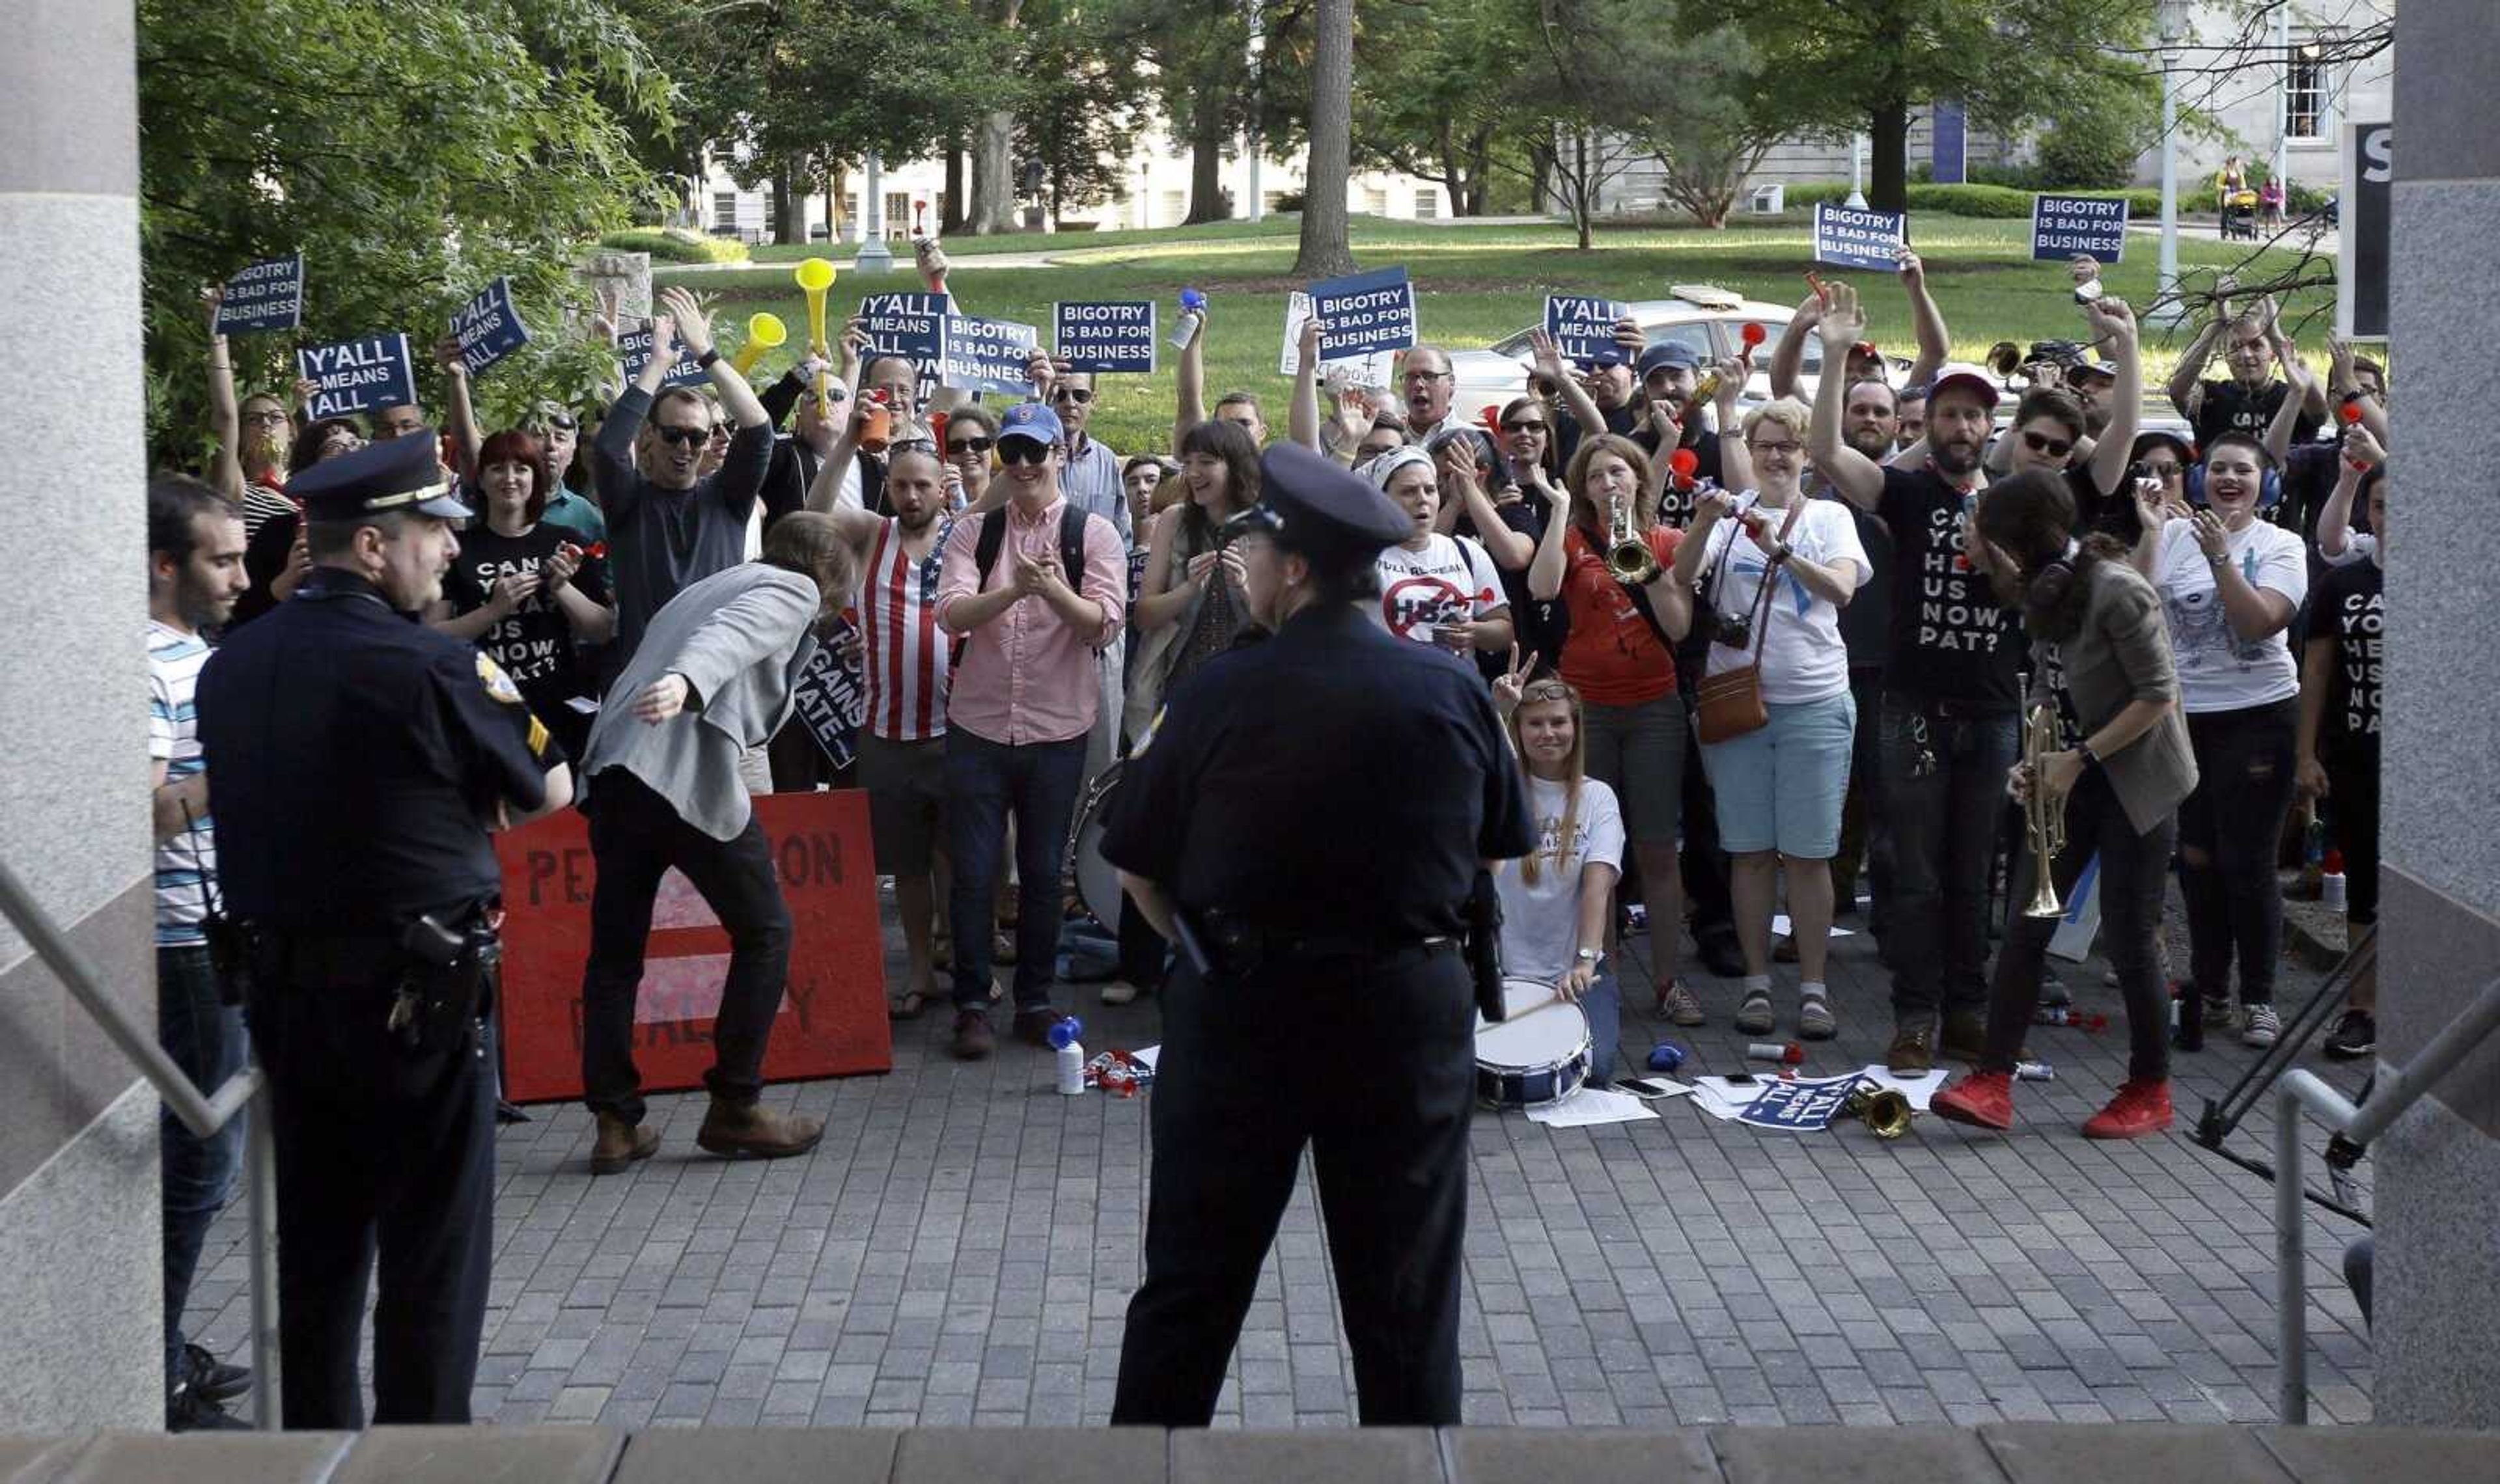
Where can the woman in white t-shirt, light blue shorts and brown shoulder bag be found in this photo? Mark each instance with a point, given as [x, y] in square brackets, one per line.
[1781, 786]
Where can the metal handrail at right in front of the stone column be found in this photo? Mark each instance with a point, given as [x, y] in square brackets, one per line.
[2391, 1098]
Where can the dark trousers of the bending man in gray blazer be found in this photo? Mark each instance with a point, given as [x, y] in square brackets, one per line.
[634, 838]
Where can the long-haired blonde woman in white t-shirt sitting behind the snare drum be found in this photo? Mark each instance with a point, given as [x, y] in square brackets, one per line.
[1559, 898]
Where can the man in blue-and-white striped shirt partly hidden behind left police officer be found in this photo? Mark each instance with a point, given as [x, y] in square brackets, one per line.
[194, 581]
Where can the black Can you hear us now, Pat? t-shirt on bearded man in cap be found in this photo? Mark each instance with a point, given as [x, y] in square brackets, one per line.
[1951, 638]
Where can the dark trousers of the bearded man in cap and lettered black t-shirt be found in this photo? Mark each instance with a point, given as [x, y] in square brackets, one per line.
[1944, 781]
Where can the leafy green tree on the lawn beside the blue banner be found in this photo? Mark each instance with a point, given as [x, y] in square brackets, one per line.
[1841, 66]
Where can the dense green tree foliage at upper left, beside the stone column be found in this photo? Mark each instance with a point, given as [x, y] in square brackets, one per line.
[411, 154]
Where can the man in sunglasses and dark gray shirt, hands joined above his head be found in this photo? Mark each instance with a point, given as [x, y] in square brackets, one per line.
[669, 523]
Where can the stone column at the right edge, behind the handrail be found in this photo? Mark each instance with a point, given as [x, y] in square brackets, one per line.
[2439, 1170]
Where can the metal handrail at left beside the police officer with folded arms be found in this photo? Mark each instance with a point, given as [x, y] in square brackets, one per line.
[201, 1113]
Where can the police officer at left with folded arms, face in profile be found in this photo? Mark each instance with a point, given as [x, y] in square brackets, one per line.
[361, 761]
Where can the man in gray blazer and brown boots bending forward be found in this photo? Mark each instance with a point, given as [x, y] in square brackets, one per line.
[711, 681]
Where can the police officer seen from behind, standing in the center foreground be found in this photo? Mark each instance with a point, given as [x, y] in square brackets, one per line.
[1309, 821]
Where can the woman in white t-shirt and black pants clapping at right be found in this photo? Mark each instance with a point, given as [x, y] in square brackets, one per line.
[2231, 586]
